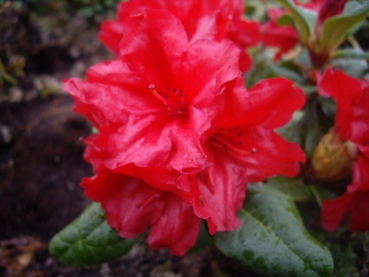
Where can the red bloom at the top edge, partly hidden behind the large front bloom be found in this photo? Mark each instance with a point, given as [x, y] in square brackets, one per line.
[201, 19]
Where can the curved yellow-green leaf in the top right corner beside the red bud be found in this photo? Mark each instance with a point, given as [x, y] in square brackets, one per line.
[336, 28]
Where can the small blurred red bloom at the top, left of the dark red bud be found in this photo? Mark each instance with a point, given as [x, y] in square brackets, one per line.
[282, 37]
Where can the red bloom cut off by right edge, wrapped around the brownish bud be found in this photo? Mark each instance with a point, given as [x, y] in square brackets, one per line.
[352, 123]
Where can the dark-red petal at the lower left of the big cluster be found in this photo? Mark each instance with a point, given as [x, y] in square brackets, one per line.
[119, 196]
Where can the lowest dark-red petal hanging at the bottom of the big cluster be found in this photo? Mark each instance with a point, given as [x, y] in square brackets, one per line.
[177, 228]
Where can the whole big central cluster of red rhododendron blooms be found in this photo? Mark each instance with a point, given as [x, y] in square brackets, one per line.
[179, 135]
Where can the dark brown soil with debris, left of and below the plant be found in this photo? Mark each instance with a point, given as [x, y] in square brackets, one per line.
[41, 161]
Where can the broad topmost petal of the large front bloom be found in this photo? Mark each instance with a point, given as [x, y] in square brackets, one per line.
[153, 47]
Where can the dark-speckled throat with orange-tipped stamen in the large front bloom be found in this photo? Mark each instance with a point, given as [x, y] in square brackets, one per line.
[172, 99]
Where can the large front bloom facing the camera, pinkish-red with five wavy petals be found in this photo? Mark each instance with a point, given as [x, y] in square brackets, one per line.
[153, 105]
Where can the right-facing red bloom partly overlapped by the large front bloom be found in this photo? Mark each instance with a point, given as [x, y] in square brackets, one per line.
[241, 147]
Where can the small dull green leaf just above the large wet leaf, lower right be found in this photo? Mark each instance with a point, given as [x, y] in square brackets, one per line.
[294, 188]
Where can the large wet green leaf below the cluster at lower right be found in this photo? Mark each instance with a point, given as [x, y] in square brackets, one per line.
[272, 240]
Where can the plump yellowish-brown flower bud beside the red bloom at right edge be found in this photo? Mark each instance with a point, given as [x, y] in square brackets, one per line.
[333, 158]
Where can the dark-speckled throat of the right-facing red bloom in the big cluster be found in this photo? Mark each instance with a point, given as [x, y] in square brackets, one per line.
[230, 140]
